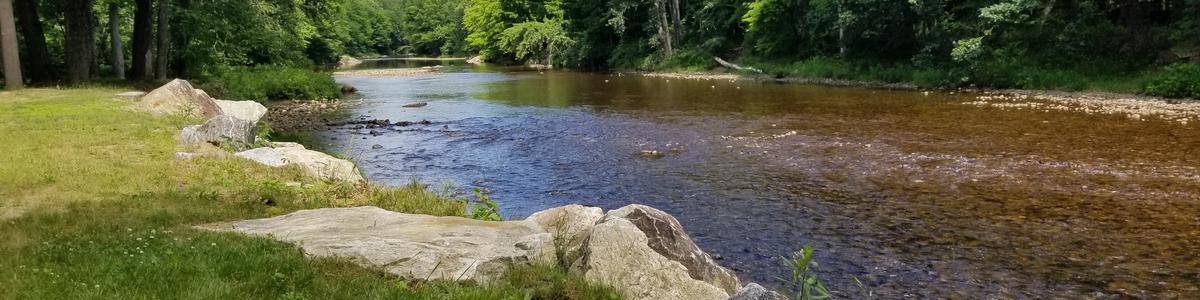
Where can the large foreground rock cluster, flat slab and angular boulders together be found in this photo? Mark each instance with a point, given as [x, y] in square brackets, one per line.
[641, 251]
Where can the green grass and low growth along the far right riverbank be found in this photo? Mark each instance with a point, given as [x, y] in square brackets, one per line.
[1175, 81]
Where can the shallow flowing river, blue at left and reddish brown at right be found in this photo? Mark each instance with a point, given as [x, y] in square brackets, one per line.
[902, 194]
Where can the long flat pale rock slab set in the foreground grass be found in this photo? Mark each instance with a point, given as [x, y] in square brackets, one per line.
[413, 247]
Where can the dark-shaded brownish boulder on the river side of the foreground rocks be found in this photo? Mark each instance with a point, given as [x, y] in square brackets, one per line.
[667, 237]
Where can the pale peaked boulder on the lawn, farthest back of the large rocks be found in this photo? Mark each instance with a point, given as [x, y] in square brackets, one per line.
[178, 98]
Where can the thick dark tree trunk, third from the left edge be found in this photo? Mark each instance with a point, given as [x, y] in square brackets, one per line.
[81, 40]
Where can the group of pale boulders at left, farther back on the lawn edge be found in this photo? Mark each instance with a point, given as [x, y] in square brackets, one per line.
[235, 124]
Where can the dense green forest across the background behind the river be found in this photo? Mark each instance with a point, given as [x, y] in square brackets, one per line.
[1149, 46]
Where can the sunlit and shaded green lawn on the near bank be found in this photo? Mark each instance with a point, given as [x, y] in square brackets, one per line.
[94, 206]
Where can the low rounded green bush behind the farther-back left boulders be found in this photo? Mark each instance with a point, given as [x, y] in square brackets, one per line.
[265, 83]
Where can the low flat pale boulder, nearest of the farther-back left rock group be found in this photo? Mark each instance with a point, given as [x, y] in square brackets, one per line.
[314, 164]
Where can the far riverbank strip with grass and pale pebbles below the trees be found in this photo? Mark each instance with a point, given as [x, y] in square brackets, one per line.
[1178, 81]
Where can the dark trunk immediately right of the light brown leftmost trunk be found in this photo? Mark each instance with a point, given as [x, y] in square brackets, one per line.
[38, 56]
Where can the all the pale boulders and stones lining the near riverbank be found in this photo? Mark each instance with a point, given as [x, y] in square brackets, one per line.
[641, 251]
